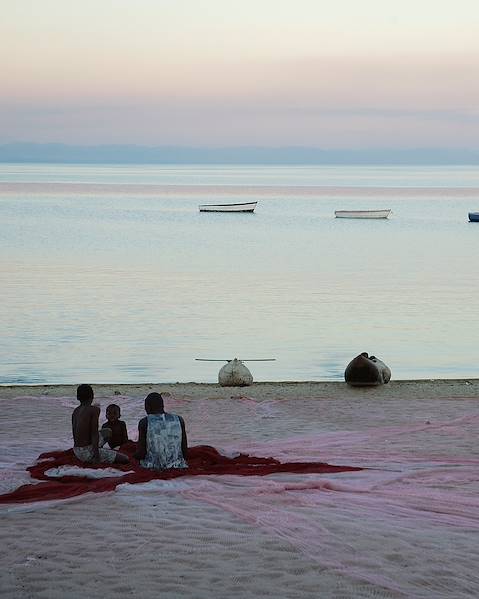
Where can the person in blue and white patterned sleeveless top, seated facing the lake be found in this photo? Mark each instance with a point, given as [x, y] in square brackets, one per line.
[162, 442]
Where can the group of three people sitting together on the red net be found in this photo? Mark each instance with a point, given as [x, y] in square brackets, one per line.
[162, 442]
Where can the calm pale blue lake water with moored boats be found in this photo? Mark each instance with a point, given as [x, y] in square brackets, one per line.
[110, 274]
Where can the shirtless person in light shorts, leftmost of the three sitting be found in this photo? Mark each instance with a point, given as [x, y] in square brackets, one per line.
[86, 437]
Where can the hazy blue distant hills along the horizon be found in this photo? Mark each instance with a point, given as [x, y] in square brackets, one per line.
[134, 154]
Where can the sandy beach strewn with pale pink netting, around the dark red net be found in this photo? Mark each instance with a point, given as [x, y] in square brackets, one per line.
[406, 526]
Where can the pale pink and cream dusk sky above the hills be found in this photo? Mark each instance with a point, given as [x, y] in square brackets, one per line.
[354, 74]
